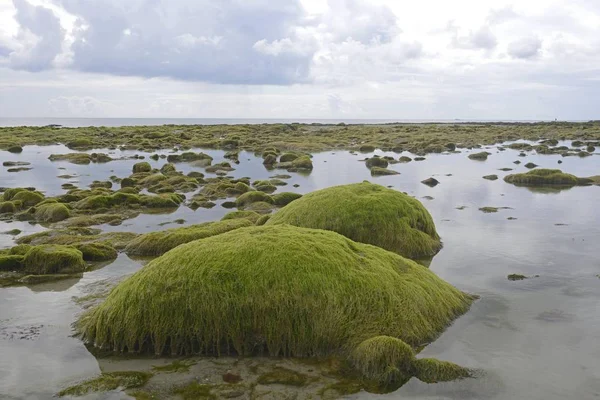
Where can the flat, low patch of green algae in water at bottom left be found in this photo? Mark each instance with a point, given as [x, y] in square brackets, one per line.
[108, 381]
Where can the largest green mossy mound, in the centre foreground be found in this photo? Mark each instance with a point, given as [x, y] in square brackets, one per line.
[264, 289]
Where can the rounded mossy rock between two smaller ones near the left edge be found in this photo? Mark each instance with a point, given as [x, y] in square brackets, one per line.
[53, 259]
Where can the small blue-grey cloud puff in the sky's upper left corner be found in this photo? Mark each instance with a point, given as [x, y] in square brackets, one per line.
[40, 37]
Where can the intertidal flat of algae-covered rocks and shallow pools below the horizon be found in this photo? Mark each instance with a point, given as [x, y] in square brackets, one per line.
[246, 212]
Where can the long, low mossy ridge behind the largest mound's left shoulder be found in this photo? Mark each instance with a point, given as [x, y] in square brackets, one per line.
[158, 243]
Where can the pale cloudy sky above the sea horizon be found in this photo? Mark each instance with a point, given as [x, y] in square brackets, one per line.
[339, 59]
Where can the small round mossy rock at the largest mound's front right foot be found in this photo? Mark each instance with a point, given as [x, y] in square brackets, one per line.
[384, 360]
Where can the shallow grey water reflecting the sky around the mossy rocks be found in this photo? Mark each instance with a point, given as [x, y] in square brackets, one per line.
[534, 339]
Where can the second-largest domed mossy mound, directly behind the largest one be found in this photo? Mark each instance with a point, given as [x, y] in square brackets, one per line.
[367, 213]
